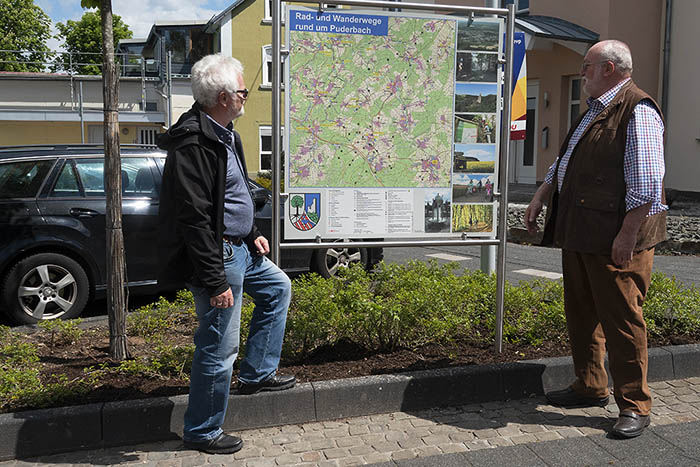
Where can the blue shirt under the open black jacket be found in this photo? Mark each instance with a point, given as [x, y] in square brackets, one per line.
[238, 201]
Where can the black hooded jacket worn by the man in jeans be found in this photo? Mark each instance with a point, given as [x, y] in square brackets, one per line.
[191, 213]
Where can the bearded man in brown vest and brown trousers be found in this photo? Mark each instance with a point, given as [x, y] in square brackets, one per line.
[606, 211]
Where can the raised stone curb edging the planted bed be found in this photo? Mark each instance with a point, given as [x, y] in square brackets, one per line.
[50, 431]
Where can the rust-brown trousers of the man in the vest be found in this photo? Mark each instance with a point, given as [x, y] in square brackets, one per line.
[603, 306]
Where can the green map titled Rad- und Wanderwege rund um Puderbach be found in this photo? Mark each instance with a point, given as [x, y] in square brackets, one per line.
[370, 100]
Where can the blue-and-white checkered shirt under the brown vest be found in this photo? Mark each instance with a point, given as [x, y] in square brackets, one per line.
[644, 152]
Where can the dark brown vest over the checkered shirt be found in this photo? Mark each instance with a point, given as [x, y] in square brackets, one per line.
[588, 212]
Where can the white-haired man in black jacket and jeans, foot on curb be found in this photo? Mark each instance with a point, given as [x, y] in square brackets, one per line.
[208, 241]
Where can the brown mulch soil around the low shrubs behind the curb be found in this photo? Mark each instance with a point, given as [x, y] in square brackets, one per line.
[344, 360]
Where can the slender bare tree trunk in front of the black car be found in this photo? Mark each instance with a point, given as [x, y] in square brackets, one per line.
[116, 264]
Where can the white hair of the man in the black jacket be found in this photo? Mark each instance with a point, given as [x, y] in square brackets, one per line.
[213, 74]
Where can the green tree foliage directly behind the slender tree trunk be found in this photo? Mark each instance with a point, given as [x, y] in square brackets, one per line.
[85, 35]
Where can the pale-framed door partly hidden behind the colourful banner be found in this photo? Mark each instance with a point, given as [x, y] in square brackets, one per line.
[524, 159]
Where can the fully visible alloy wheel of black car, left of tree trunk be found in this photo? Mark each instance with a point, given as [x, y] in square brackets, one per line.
[45, 286]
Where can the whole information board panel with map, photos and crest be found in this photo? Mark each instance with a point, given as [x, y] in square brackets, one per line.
[392, 124]
